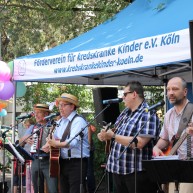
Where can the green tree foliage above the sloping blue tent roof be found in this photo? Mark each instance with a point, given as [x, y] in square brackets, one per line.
[31, 26]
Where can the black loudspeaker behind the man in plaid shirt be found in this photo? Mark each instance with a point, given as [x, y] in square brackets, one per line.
[112, 112]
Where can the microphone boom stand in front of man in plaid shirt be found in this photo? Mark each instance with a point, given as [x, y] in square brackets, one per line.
[135, 141]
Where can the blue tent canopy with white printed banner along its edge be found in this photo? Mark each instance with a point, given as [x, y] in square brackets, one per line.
[147, 41]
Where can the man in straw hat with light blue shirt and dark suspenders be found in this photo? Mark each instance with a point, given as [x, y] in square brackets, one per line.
[68, 127]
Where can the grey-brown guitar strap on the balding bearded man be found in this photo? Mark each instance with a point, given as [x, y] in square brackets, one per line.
[185, 119]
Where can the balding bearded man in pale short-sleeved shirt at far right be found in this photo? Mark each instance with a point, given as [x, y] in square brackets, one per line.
[177, 96]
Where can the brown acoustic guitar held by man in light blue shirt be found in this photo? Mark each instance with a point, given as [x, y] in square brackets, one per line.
[54, 158]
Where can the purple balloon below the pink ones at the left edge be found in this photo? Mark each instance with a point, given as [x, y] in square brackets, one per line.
[7, 91]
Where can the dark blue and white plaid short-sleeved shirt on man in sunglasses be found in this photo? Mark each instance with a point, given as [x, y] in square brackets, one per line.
[128, 124]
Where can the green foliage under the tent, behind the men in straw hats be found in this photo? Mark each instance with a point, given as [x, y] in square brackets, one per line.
[48, 92]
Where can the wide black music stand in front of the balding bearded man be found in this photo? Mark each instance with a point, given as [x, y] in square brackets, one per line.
[164, 171]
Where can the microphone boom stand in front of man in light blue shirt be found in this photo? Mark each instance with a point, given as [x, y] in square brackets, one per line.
[81, 134]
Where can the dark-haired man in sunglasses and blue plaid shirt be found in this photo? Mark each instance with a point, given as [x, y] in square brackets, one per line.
[131, 120]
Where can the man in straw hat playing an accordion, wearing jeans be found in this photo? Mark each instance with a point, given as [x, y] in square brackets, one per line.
[40, 164]
